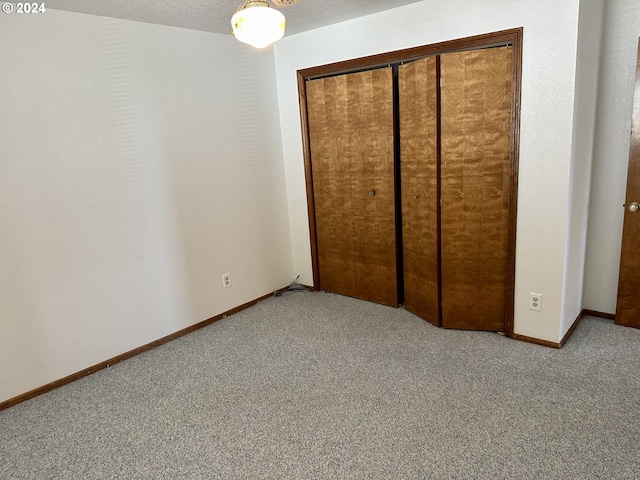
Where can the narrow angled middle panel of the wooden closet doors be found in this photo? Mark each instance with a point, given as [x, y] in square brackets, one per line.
[417, 83]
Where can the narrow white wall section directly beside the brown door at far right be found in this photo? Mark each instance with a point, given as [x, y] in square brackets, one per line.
[611, 153]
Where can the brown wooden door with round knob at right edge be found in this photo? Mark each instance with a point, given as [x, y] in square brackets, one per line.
[628, 304]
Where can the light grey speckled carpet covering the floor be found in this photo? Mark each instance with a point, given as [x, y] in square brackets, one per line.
[316, 385]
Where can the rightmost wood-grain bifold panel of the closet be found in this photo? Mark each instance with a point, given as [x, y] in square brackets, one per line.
[475, 184]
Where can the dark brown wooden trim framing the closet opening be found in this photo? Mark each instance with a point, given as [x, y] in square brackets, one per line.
[511, 37]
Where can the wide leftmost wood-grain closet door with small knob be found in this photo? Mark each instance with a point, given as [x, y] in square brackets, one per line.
[350, 124]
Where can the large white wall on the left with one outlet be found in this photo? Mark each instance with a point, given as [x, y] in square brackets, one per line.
[138, 163]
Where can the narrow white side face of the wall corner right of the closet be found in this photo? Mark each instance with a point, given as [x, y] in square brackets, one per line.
[584, 115]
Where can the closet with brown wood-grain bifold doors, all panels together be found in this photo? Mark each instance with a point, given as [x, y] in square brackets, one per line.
[412, 179]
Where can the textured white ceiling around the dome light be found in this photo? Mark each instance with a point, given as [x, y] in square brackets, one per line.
[215, 15]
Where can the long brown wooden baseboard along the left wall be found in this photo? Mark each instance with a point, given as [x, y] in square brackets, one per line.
[120, 358]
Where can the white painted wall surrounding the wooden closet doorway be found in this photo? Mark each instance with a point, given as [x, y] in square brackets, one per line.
[549, 79]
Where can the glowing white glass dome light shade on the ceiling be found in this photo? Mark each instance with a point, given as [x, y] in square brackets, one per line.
[257, 24]
